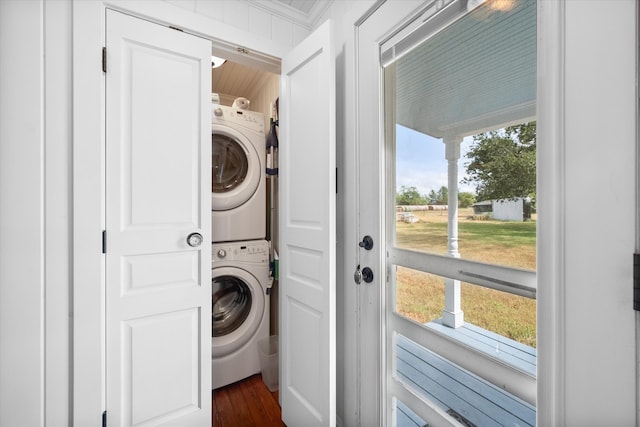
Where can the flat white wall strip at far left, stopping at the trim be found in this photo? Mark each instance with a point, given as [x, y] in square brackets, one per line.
[22, 260]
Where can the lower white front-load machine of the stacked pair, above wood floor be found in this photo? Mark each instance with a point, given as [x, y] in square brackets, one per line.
[240, 289]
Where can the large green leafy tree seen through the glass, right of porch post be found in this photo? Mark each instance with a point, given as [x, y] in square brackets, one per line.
[503, 163]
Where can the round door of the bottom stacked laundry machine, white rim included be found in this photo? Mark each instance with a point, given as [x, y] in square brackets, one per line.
[237, 309]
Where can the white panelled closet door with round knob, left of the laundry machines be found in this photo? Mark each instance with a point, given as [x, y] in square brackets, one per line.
[158, 293]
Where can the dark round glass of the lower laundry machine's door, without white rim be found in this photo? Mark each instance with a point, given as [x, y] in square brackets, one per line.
[230, 304]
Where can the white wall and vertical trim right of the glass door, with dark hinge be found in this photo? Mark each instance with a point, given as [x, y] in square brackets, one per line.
[587, 366]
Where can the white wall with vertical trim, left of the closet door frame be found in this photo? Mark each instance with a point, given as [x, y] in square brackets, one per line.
[35, 153]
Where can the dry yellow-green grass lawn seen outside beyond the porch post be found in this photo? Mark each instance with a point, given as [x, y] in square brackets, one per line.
[420, 296]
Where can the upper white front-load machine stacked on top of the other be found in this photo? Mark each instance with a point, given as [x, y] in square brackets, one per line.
[238, 184]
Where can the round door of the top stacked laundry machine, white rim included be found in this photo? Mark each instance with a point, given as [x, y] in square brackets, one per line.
[235, 168]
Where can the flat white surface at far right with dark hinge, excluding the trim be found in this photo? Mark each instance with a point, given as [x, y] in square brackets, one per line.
[600, 146]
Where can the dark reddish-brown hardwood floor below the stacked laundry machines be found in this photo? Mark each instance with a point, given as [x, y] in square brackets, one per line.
[246, 403]
